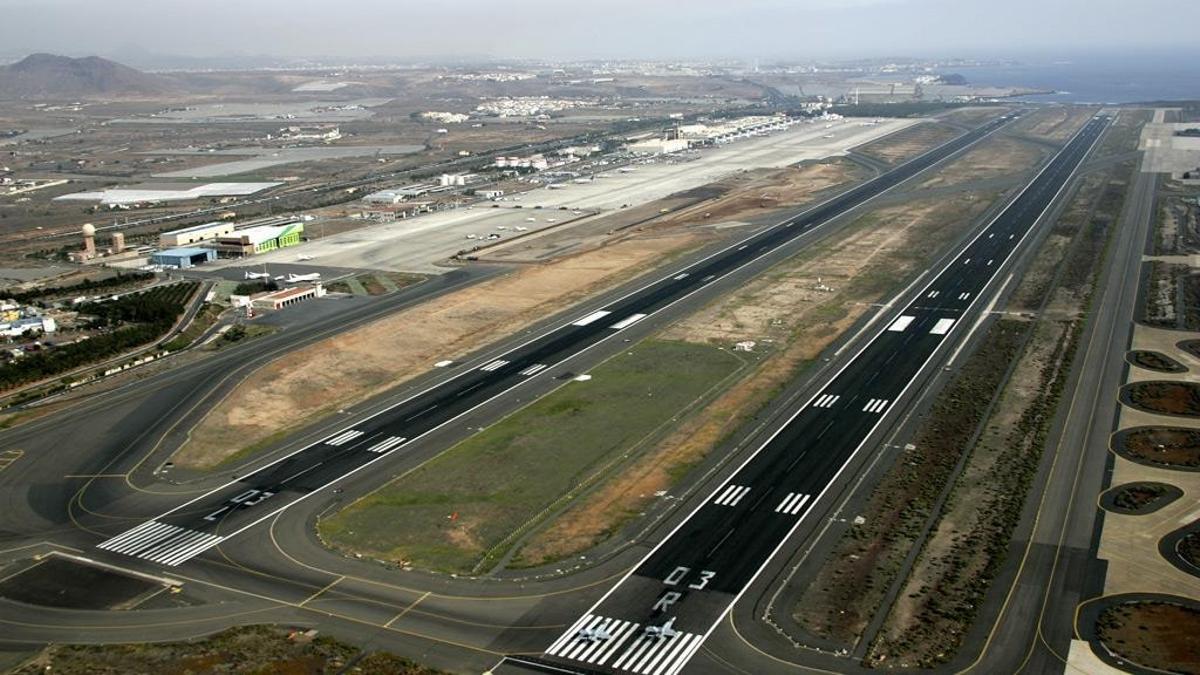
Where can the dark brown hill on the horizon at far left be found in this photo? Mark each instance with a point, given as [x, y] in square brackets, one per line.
[50, 76]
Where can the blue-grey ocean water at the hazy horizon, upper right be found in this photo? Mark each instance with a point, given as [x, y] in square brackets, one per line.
[1100, 80]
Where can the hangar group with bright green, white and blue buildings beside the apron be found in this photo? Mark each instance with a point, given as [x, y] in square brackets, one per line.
[199, 244]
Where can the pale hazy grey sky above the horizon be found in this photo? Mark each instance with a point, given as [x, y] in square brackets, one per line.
[598, 28]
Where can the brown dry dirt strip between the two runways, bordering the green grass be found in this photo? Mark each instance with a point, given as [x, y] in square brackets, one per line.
[795, 310]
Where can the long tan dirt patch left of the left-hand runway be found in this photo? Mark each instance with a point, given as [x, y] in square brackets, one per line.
[339, 372]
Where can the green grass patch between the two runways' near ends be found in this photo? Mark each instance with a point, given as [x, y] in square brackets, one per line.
[457, 512]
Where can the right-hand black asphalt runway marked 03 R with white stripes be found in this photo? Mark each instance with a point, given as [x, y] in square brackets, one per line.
[659, 616]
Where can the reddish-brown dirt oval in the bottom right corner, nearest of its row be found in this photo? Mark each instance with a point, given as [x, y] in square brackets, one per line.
[1153, 635]
